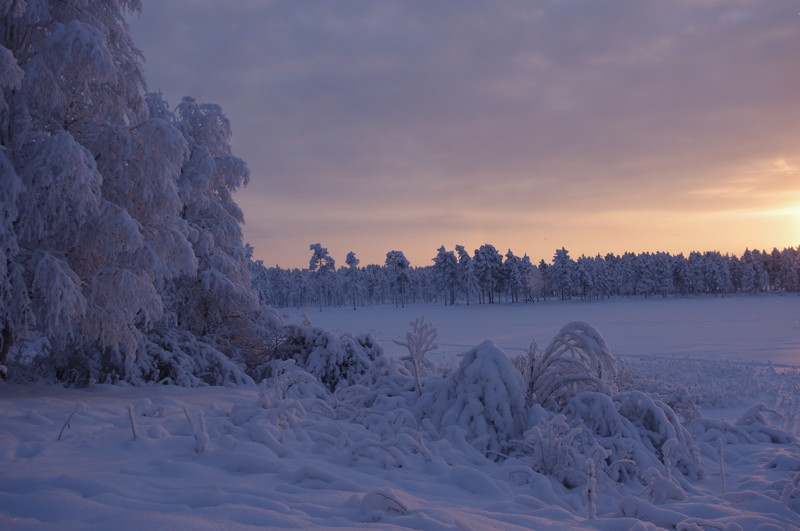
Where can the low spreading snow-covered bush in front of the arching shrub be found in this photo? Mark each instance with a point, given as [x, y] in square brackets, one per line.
[615, 436]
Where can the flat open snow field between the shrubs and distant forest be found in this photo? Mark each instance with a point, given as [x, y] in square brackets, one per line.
[753, 329]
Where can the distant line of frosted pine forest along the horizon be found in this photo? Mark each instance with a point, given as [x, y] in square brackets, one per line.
[486, 277]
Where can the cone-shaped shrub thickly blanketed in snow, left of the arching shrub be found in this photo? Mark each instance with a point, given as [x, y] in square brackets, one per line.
[485, 397]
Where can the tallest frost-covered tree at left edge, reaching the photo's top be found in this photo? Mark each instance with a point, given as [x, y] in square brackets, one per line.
[75, 134]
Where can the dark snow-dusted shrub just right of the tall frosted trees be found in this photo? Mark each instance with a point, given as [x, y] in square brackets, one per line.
[333, 360]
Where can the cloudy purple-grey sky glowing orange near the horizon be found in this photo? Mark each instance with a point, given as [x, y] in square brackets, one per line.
[598, 126]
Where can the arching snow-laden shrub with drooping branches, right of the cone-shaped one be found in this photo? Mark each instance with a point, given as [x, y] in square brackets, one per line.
[577, 360]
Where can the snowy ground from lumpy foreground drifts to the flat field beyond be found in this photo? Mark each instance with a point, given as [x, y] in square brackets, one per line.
[235, 458]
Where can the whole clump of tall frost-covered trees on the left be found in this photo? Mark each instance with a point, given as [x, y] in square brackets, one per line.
[116, 216]
